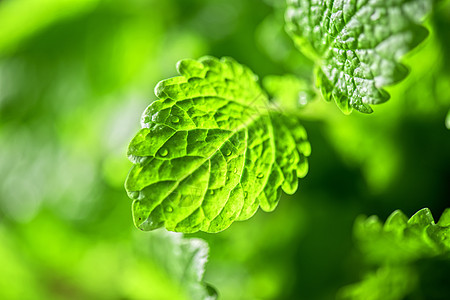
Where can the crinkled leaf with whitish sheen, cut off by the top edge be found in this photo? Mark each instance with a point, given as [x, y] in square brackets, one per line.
[357, 45]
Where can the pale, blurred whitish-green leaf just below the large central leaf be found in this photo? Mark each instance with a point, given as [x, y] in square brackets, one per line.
[184, 261]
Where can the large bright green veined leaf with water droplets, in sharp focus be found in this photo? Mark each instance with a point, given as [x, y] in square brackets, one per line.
[211, 150]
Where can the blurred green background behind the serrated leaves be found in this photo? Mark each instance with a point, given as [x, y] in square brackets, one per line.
[75, 76]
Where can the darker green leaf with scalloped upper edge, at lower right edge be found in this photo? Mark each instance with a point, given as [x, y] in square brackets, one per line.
[401, 240]
